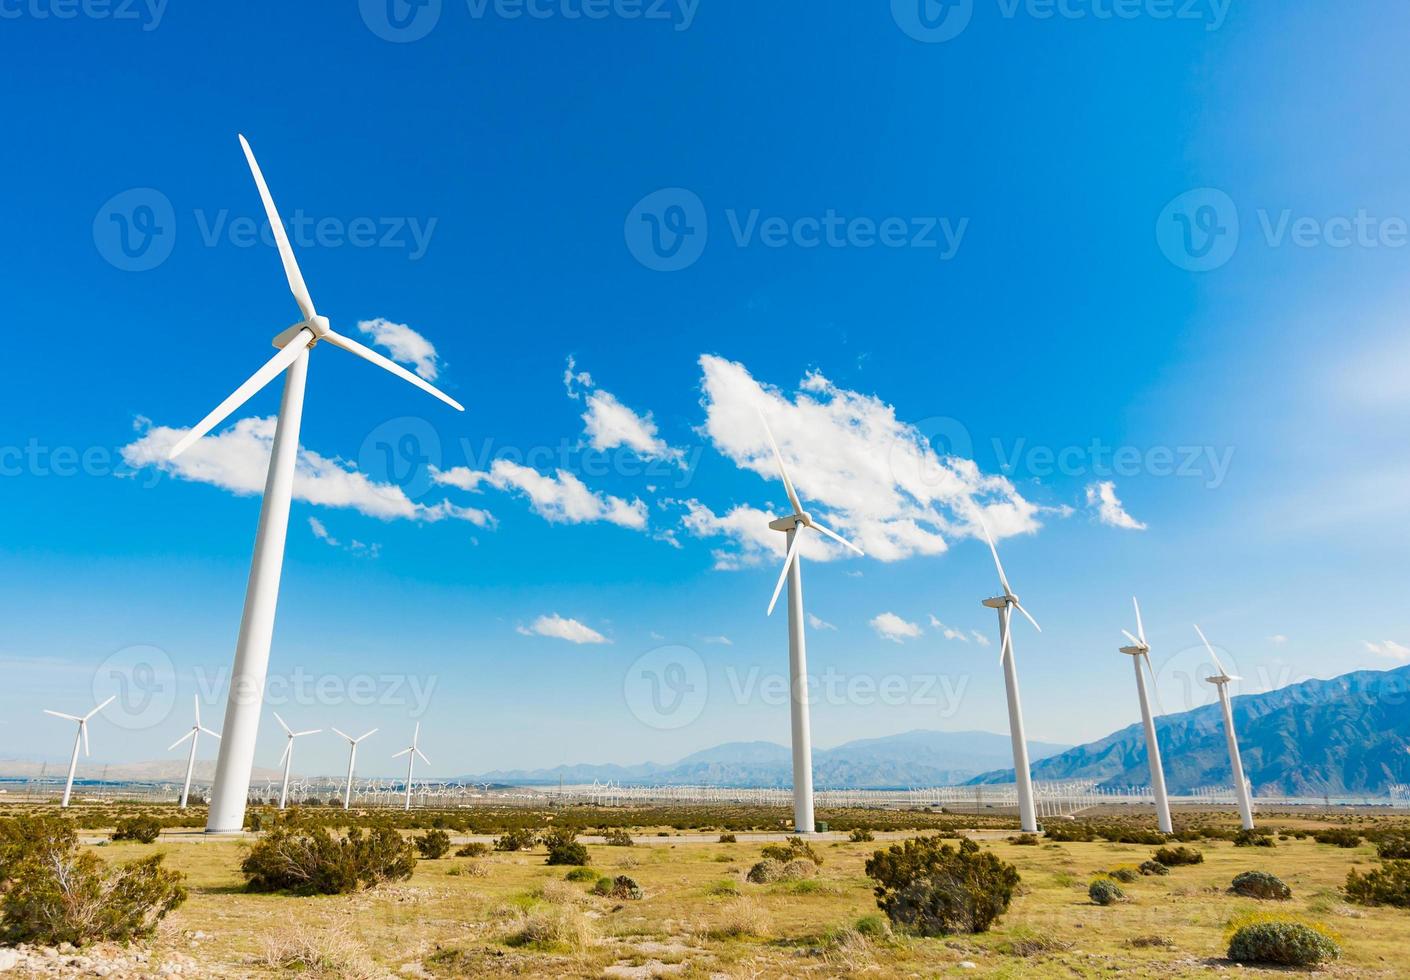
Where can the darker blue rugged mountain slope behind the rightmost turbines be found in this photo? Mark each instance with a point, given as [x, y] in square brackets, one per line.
[1350, 735]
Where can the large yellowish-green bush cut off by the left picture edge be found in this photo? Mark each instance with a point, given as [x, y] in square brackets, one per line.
[56, 893]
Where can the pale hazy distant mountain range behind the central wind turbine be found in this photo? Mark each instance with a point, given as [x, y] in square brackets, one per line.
[893, 762]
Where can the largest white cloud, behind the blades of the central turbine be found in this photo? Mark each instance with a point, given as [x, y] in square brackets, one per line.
[869, 476]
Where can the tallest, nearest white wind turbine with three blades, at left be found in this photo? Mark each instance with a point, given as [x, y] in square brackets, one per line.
[238, 749]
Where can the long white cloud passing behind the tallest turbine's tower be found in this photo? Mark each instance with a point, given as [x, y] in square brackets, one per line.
[238, 460]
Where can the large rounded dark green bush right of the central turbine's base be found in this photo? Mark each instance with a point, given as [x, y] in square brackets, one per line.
[937, 889]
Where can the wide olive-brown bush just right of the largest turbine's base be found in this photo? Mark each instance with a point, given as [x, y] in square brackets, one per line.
[309, 861]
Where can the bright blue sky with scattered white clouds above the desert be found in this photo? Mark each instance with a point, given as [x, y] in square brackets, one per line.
[1161, 250]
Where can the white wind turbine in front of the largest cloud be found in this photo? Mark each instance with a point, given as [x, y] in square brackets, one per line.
[797, 654]
